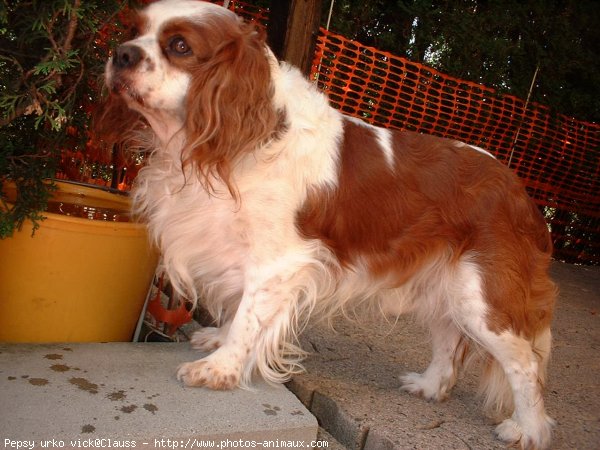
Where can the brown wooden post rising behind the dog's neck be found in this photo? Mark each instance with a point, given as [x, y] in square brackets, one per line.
[293, 29]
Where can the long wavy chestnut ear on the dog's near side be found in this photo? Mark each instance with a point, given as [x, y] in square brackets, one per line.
[229, 105]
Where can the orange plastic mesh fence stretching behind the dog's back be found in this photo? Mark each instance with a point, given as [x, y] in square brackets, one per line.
[556, 156]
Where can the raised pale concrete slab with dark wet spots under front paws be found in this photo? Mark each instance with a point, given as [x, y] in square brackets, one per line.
[79, 394]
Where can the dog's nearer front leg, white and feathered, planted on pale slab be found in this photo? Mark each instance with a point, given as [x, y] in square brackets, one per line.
[260, 333]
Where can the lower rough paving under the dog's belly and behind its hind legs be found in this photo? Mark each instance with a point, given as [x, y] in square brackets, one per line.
[352, 383]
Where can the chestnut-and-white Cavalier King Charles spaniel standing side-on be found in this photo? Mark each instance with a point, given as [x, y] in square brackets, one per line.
[268, 205]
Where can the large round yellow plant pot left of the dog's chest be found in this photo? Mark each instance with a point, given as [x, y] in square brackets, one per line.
[75, 279]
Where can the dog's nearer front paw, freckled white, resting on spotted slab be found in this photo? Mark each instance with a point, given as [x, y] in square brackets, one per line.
[210, 372]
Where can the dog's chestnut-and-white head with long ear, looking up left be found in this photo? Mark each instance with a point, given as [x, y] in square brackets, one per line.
[196, 71]
